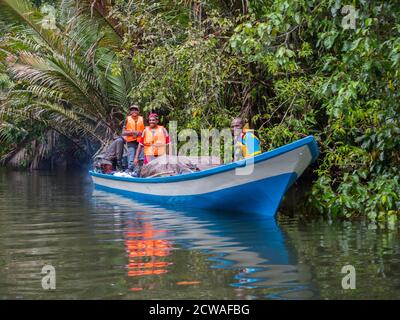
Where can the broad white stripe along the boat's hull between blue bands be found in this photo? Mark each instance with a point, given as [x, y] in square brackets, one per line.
[294, 161]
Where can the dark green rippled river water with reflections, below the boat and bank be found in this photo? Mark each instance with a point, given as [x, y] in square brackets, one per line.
[104, 246]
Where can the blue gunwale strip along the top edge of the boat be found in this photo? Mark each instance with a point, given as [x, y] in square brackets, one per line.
[308, 141]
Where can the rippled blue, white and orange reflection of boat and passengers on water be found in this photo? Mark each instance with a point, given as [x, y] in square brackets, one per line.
[251, 247]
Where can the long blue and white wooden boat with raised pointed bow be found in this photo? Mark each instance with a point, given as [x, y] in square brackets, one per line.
[254, 185]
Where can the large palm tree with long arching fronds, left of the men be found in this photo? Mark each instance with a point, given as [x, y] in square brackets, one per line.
[67, 77]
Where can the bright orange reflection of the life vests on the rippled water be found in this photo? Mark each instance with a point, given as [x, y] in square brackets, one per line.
[145, 252]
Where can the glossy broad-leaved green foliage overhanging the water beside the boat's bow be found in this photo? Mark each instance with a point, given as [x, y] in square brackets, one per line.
[349, 83]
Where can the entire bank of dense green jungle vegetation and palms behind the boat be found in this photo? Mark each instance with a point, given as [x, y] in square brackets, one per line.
[291, 68]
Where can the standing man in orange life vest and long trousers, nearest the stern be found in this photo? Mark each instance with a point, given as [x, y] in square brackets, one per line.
[132, 131]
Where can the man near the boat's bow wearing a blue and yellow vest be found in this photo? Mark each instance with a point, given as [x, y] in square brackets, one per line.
[246, 144]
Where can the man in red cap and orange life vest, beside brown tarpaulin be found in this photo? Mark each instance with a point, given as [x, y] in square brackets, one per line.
[155, 140]
